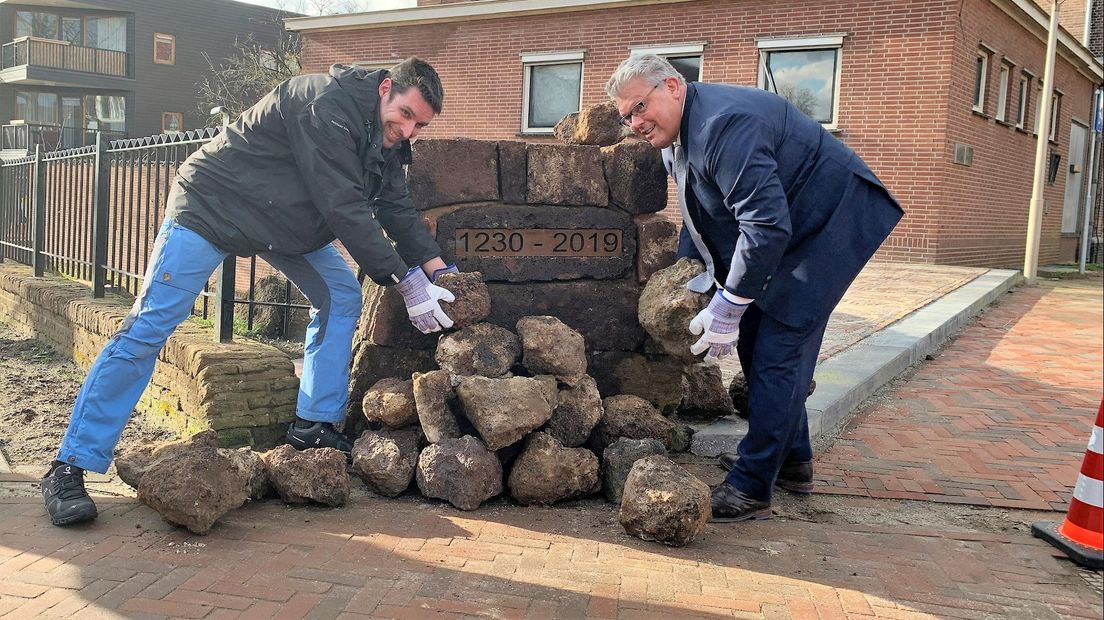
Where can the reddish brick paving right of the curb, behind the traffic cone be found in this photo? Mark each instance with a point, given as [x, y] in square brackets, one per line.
[1001, 419]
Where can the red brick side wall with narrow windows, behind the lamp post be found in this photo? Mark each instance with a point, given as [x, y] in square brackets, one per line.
[984, 219]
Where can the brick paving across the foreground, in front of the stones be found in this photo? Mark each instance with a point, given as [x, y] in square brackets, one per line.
[408, 559]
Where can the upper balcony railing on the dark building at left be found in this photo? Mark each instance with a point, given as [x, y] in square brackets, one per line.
[49, 54]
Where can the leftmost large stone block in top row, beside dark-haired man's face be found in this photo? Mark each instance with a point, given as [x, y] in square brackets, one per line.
[454, 170]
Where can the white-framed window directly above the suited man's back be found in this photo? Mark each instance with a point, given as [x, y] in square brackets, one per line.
[805, 72]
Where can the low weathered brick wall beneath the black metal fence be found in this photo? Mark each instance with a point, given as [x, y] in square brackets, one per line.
[246, 391]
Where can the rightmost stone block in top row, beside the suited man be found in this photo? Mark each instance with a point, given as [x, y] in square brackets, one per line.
[636, 176]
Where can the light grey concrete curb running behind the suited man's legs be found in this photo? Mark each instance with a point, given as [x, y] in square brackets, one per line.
[850, 378]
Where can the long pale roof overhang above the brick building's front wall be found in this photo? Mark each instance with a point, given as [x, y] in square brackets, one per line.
[459, 12]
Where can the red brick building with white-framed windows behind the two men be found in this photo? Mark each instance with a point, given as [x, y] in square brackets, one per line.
[941, 98]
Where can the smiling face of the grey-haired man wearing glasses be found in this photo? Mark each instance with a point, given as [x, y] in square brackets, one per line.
[657, 112]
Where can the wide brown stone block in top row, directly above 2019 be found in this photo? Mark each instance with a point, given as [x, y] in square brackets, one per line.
[567, 176]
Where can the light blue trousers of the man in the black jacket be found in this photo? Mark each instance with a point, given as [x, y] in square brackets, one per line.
[182, 263]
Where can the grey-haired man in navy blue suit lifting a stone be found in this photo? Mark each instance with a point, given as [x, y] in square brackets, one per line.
[785, 217]
